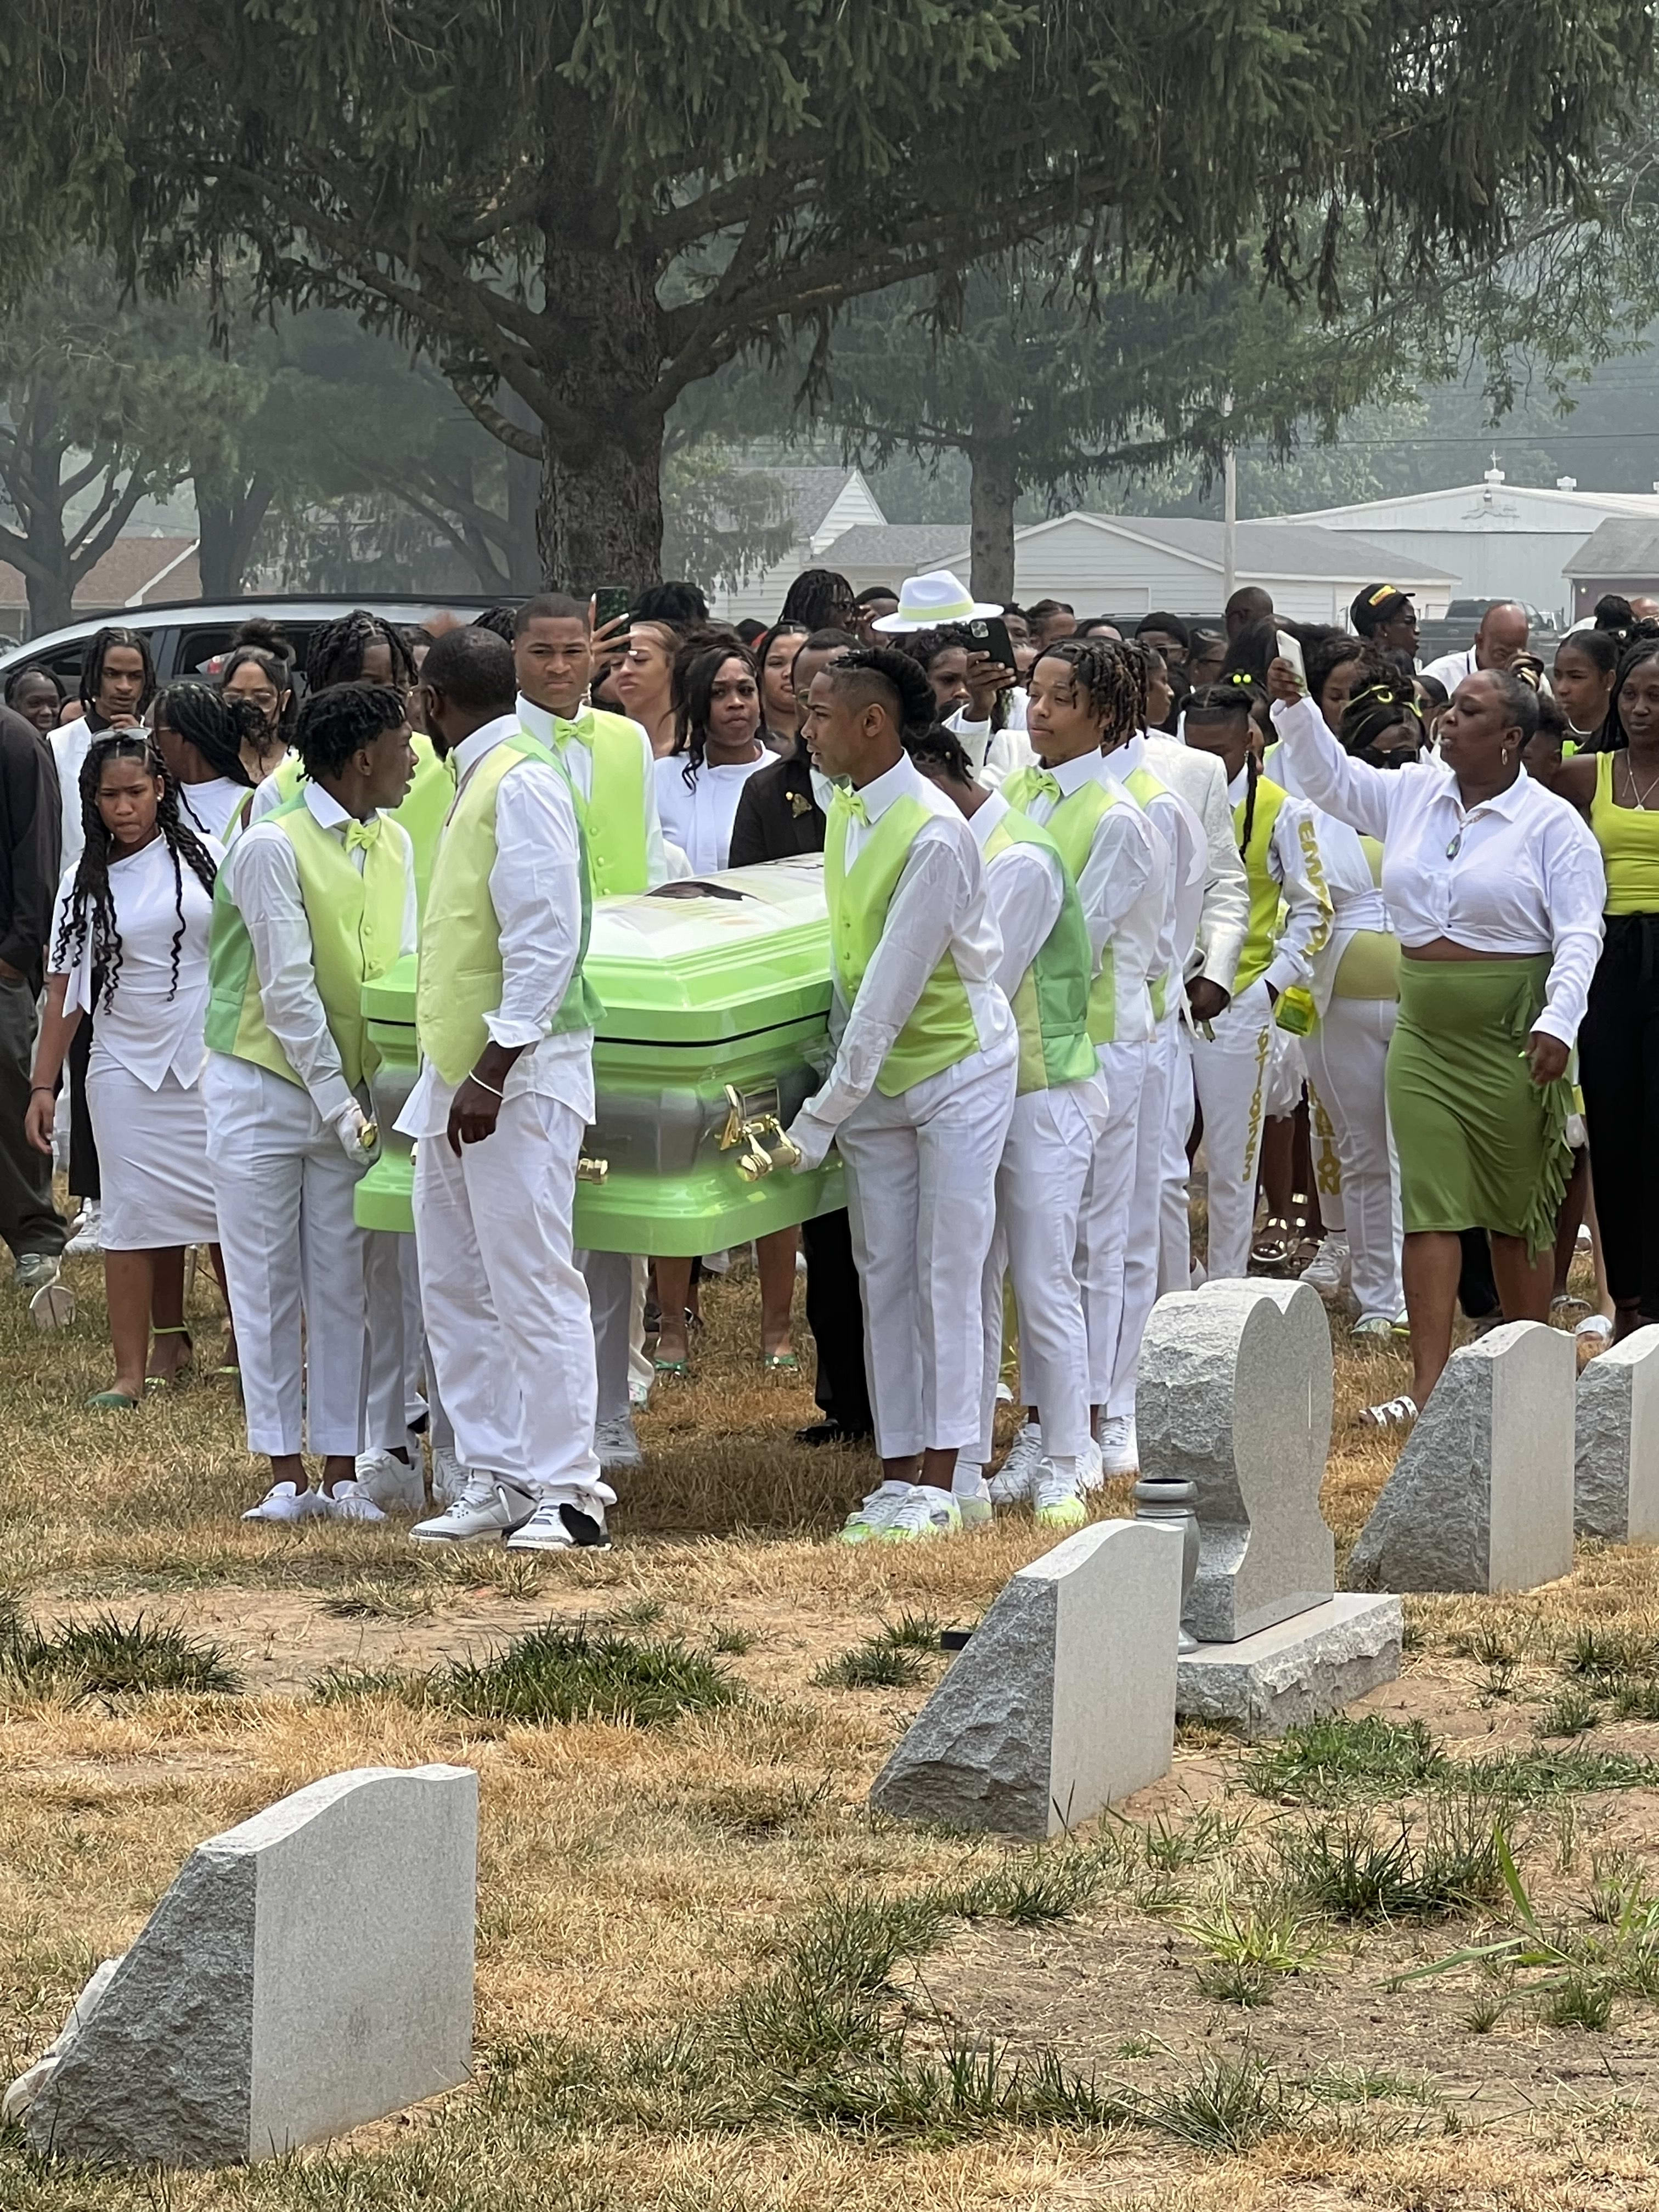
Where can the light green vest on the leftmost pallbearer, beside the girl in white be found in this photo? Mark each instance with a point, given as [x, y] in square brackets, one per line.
[357, 935]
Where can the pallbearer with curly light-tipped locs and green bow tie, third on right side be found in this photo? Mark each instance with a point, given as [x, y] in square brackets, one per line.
[1087, 696]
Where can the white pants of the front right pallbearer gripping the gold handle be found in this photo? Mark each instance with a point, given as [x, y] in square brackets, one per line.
[921, 1204]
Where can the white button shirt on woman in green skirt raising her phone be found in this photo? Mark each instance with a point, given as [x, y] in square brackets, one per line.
[1516, 875]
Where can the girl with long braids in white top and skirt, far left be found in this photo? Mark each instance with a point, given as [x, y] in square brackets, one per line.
[129, 943]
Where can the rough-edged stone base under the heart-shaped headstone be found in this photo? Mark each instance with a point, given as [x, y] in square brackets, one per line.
[1297, 1671]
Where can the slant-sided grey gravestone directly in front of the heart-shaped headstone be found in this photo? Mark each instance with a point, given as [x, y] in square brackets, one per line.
[1063, 1700]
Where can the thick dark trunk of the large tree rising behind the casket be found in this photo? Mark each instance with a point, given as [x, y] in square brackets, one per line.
[601, 510]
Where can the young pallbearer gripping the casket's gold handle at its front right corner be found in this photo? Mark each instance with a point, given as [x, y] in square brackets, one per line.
[921, 1089]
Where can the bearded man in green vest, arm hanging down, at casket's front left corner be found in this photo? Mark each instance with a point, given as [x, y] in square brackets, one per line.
[505, 1092]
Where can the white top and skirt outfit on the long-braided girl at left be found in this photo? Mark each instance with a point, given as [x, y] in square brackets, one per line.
[145, 1076]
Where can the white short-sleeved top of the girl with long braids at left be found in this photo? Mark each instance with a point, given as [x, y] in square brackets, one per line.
[149, 1027]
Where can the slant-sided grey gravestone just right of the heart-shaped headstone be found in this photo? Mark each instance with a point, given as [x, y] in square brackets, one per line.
[1483, 1494]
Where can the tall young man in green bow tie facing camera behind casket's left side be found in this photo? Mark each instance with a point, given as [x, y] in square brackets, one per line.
[614, 784]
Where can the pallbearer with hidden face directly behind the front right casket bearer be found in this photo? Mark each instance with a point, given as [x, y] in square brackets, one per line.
[1058, 1114]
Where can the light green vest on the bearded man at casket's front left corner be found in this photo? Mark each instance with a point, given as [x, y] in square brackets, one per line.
[461, 954]
